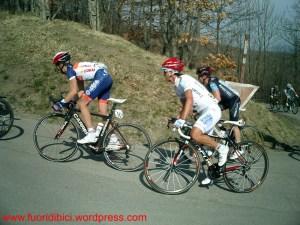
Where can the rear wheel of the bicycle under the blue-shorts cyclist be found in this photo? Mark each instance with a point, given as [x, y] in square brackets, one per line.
[134, 143]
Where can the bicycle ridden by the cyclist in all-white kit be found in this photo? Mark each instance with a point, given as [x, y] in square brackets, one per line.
[172, 166]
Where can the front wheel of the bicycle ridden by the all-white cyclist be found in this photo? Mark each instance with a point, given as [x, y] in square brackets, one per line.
[166, 178]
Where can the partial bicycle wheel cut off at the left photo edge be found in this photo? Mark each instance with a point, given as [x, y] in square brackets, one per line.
[6, 116]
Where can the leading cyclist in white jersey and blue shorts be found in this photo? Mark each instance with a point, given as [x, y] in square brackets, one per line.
[101, 83]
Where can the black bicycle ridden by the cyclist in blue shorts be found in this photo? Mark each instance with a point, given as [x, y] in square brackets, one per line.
[55, 137]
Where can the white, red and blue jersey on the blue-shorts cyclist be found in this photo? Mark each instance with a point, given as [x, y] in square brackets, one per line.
[84, 70]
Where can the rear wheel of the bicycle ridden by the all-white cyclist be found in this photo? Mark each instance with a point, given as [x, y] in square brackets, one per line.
[249, 171]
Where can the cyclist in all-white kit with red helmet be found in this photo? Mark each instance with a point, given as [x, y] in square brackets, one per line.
[195, 97]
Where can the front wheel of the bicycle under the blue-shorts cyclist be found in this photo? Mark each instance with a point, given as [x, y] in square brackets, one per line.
[48, 146]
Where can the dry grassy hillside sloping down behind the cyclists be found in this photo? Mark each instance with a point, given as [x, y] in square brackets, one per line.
[27, 76]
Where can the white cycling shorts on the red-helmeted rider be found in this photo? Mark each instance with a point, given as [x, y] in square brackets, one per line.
[208, 118]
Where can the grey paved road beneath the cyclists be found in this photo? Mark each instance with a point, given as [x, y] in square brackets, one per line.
[86, 185]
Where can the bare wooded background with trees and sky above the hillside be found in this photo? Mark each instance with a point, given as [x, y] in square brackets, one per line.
[198, 31]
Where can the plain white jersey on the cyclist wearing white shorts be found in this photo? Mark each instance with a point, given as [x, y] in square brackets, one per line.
[202, 98]
